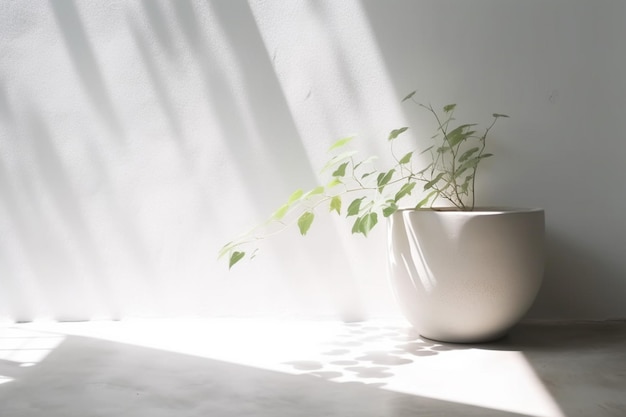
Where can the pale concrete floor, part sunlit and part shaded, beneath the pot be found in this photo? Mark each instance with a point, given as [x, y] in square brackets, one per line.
[306, 368]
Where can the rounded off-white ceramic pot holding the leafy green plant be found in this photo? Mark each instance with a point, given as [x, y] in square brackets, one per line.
[466, 276]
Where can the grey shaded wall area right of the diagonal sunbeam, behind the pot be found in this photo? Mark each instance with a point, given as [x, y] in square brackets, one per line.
[585, 275]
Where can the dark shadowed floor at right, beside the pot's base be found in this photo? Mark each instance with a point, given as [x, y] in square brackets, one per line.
[581, 364]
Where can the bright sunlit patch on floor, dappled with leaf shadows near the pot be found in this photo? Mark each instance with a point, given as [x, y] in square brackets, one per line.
[383, 354]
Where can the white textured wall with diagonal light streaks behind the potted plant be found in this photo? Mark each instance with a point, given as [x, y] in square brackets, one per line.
[136, 137]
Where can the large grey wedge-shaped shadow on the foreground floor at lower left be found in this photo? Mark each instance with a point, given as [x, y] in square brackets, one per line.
[129, 380]
